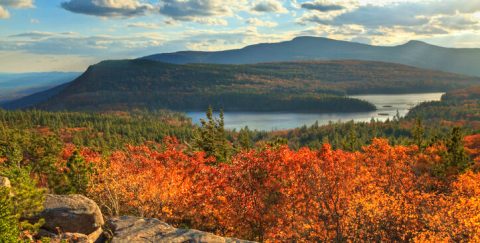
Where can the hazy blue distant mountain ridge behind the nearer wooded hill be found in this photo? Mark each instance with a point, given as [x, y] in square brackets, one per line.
[414, 53]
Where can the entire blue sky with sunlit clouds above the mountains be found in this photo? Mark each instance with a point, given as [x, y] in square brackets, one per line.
[70, 35]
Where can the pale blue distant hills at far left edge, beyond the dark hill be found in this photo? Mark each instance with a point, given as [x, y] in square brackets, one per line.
[17, 85]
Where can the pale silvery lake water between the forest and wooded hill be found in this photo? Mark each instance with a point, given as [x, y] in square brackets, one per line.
[387, 107]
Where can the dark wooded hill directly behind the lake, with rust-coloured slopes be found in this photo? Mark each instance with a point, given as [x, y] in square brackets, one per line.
[316, 86]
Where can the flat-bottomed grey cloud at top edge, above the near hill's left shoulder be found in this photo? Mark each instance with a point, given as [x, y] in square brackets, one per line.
[108, 8]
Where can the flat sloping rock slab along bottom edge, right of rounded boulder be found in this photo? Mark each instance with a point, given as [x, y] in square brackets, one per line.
[133, 229]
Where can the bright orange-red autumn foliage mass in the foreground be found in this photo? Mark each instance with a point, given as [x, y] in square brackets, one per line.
[382, 193]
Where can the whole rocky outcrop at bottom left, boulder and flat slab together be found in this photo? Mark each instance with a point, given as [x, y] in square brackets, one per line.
[77, 219]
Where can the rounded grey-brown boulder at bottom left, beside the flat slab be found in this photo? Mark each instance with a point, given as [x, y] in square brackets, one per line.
[71, 213]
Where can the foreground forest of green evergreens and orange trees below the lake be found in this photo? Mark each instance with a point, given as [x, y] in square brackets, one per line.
[400, 180]
